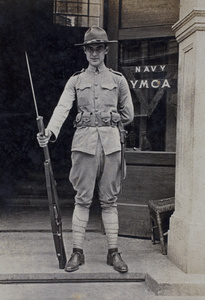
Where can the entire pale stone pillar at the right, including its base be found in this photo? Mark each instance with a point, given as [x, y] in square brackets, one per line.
[186, 244]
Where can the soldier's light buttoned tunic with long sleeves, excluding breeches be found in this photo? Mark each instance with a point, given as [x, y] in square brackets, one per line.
[99, 93]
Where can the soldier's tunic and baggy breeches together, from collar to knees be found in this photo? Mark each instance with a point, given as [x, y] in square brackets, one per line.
[103, 99]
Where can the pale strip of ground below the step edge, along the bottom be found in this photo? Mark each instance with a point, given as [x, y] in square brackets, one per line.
[73, 291]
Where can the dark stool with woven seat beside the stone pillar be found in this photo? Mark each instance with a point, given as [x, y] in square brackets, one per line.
[160, 213]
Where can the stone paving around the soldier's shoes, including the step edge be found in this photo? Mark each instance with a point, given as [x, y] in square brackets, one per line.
[28, 257]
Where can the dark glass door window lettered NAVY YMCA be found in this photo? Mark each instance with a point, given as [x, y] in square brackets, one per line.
[150, 66]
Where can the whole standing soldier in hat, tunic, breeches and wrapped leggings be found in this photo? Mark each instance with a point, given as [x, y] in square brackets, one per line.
[103, 100]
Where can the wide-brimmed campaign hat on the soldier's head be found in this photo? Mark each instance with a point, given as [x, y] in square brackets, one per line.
[95, 35]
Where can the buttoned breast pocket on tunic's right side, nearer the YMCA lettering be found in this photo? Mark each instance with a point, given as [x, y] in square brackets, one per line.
[109, 93]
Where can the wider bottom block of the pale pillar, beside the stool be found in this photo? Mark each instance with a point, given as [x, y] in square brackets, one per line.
[186, 244]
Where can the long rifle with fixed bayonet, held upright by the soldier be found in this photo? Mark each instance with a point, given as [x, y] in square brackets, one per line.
[54, 209]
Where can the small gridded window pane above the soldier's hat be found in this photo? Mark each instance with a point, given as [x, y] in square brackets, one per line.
[78, 13]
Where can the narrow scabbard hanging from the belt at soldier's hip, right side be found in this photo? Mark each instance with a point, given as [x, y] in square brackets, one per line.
[123, 133]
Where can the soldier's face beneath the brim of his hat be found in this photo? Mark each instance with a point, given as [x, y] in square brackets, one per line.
[95, 54]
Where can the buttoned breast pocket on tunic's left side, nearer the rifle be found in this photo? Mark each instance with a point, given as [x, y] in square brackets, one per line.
[83, 94]
